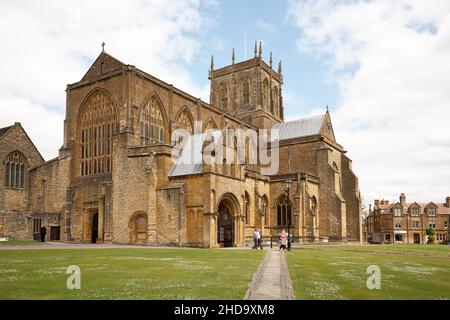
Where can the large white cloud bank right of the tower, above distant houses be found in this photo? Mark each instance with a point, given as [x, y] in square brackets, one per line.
[391, 61]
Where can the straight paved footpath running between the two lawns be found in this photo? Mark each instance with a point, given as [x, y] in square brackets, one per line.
[271, 280]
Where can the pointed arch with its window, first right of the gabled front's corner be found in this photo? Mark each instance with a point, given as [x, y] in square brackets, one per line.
[153, 121]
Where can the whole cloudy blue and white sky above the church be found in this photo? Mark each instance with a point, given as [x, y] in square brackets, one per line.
[382, 66]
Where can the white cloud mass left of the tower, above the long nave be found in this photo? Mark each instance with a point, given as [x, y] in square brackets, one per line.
[48, 44]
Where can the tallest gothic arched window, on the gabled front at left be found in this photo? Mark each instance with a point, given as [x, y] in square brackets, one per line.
[98, 122]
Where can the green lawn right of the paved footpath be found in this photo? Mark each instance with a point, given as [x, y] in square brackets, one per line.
[339, 272]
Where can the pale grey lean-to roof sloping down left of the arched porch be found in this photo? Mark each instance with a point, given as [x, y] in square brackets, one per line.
[190, 161]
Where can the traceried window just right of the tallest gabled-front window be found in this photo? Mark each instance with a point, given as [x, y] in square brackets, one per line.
[152, 123]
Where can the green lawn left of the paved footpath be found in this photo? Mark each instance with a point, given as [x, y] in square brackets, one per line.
[128, 273]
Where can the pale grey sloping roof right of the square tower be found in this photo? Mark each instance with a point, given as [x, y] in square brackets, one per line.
[300, 128]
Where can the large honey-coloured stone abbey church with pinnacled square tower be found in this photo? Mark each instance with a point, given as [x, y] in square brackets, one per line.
[116, 180]
